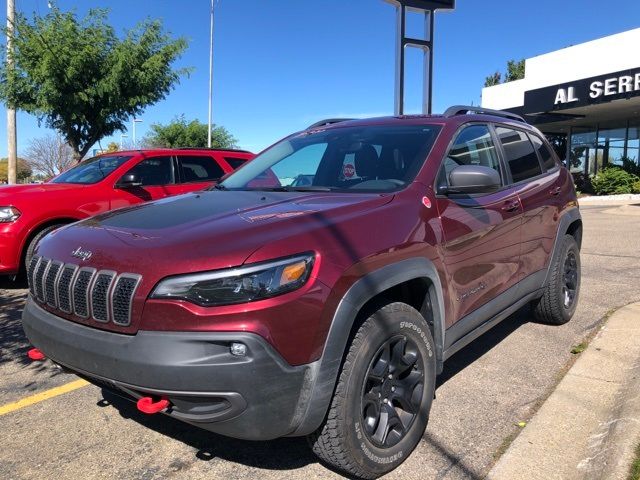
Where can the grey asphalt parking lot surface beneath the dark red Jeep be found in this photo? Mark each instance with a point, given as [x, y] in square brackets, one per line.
[485, 391]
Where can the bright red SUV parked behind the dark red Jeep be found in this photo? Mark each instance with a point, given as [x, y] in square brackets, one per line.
[102, 183]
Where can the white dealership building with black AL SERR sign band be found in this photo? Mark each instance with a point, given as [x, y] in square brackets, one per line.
[586, 98]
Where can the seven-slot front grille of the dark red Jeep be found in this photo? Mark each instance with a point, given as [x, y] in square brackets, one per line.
[103, 296]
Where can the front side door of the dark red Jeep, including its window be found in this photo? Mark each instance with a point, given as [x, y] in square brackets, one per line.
[482, 233]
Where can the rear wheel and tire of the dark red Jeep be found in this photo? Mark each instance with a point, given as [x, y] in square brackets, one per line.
[560, 298]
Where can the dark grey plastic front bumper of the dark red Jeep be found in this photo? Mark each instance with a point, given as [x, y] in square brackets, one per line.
[255, 397]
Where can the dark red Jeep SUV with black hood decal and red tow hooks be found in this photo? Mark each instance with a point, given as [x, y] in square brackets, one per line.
[318, 289]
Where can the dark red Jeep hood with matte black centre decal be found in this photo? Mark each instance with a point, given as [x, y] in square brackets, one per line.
[200, 231]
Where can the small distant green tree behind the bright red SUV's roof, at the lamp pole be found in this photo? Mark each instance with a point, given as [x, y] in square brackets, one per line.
[180, 133]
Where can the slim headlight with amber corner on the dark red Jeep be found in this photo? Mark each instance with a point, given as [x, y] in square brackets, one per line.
[238, 285]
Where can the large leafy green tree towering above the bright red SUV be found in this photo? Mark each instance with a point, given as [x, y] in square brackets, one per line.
[84, 81]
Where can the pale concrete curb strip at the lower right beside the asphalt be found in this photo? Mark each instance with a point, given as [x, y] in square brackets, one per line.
[589, 426]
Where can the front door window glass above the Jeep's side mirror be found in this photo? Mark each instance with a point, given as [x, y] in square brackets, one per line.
[473, 146]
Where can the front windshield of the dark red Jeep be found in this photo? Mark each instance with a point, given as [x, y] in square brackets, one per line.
[368, 158]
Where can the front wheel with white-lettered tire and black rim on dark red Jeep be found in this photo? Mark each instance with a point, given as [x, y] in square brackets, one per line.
[353, 437]
